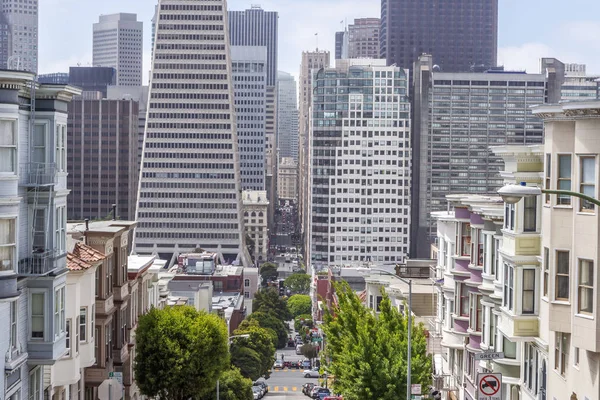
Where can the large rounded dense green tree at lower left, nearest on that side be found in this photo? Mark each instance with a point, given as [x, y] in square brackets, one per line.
[180, 353]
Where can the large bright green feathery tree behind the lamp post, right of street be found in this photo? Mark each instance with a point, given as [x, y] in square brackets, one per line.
[368, 351]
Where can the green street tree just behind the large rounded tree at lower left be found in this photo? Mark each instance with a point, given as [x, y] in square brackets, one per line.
[261, 341]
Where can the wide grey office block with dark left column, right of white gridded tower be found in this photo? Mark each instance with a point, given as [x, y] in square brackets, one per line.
[457, 117]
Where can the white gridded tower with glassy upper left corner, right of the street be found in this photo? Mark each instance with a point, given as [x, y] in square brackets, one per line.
[359, 164]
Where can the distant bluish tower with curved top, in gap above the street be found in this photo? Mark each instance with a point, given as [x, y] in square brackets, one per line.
[287, 116]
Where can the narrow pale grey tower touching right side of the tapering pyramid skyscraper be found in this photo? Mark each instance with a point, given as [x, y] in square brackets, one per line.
[249, 84]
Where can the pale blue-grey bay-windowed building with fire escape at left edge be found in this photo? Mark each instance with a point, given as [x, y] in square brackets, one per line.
[33, 268]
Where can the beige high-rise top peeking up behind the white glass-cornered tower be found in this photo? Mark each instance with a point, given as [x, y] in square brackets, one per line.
[363, 38]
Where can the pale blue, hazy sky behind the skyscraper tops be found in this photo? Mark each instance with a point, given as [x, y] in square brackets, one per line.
[528, 29]
